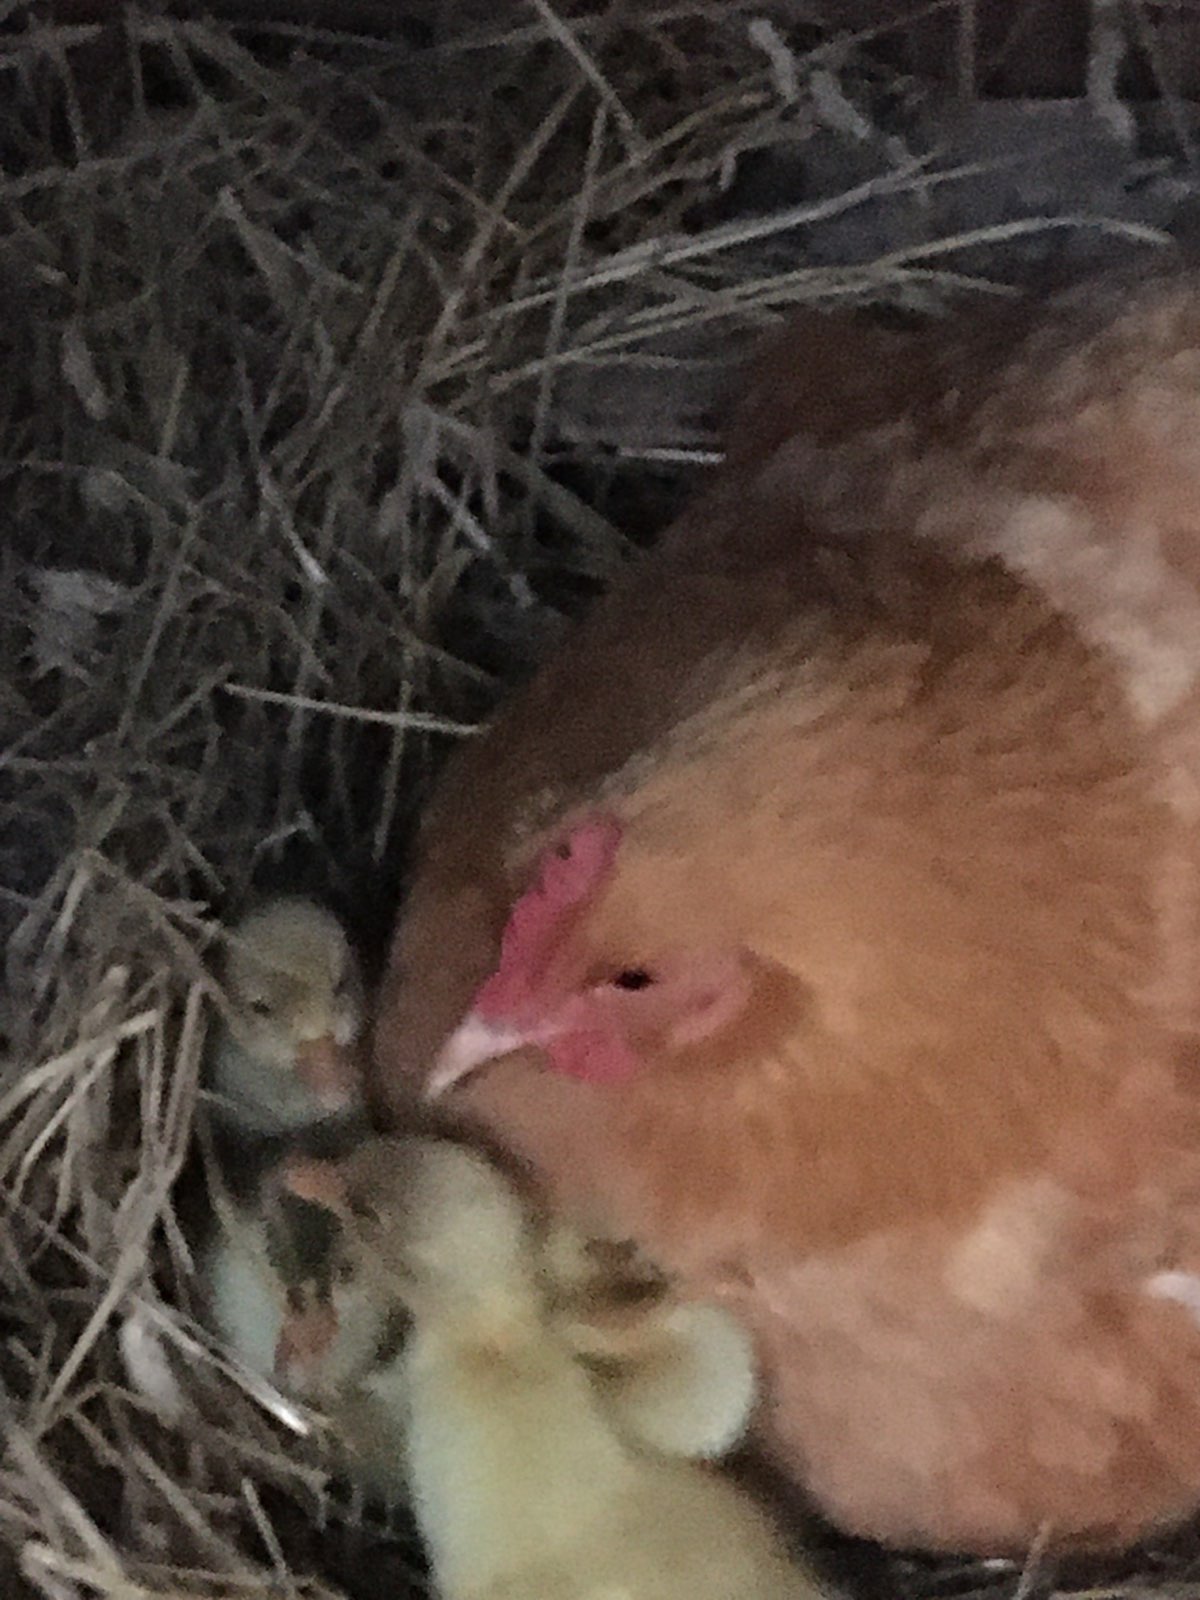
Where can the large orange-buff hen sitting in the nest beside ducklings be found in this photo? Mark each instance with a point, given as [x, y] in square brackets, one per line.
[825, 918]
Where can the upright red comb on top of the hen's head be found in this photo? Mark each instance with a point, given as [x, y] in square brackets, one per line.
[567, 876]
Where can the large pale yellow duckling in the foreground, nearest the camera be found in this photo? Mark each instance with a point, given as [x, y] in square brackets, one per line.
[521, 1481]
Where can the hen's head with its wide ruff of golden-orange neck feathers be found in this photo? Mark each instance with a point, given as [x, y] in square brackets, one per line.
[834, 948]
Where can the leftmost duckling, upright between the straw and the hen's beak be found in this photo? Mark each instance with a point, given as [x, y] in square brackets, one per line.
[286, 1073]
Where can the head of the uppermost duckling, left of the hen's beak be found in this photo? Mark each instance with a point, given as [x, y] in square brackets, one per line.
[286, 1055]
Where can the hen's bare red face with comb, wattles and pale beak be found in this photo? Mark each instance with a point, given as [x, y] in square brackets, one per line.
[599, 1009]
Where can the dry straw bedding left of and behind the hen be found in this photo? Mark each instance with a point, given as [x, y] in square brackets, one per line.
[338, 372]
